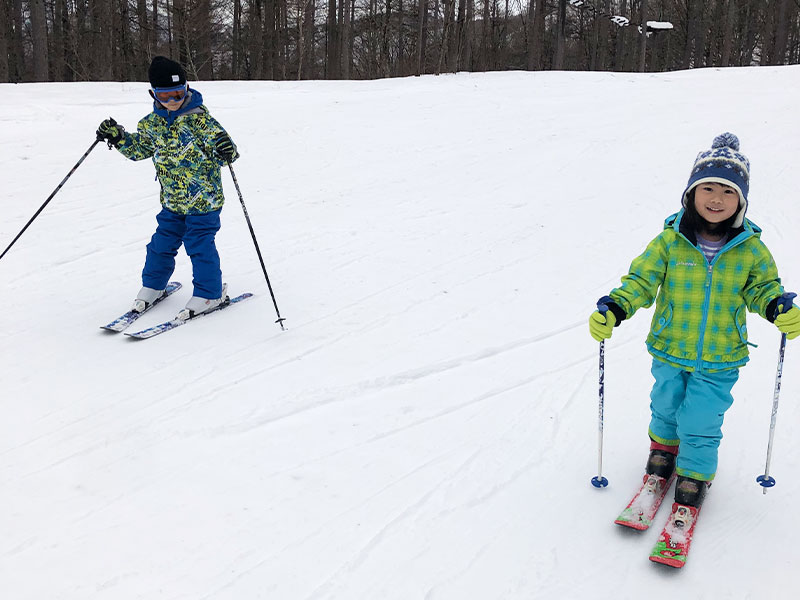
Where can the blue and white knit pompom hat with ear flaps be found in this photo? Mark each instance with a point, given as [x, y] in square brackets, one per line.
[724, 164]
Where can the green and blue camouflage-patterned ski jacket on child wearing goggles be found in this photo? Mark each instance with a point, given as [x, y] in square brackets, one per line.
[182, 149]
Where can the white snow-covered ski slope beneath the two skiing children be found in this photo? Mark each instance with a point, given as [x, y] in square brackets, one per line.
[426, 428]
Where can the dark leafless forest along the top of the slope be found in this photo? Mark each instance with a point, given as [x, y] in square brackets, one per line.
[110, 40]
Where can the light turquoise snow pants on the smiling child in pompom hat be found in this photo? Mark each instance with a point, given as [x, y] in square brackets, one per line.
[687, 409]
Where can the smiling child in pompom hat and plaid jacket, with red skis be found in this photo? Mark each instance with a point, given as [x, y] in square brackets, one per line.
[703, 271]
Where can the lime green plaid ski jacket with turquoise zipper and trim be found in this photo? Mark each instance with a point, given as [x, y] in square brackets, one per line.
[700, 317]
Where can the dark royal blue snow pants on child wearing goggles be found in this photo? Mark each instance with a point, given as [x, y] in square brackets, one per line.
[196, 233]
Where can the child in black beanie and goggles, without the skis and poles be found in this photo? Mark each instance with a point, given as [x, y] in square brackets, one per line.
[188, 147]
